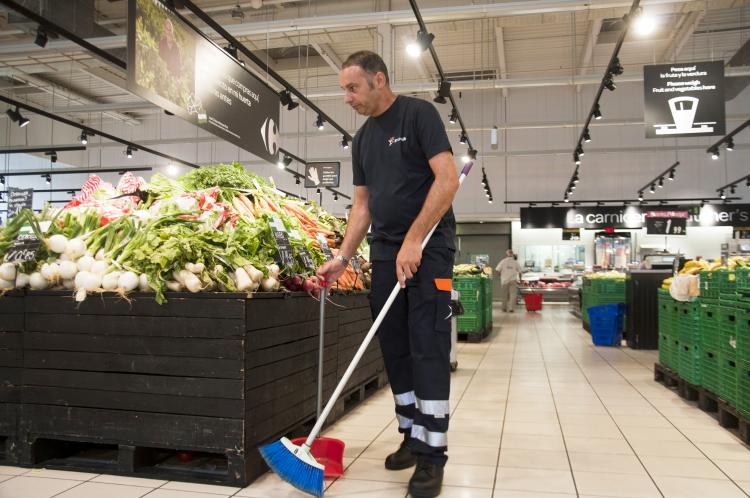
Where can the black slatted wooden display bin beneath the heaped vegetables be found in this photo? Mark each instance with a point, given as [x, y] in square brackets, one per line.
[186, 390]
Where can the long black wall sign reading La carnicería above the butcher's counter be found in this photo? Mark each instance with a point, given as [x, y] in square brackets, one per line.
[632, 217]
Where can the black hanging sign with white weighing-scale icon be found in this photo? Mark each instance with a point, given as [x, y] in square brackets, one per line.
[684, 100]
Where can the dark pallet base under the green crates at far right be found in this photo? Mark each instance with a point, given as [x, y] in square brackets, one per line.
[727, 415]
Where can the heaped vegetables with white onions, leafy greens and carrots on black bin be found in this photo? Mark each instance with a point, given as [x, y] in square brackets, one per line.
[210, 230]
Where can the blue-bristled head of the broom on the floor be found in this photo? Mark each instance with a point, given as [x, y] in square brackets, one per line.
[288, 462]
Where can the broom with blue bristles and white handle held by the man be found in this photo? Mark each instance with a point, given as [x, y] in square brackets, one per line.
[295, 464]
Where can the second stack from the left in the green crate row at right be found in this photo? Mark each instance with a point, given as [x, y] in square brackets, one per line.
[688, 341]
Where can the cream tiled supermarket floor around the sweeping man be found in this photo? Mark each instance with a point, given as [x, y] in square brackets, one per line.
[538, 413]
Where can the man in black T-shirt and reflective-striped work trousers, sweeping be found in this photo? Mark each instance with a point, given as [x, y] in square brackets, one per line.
[404, 182]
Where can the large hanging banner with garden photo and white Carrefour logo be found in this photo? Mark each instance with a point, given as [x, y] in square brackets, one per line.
[174, 66]
